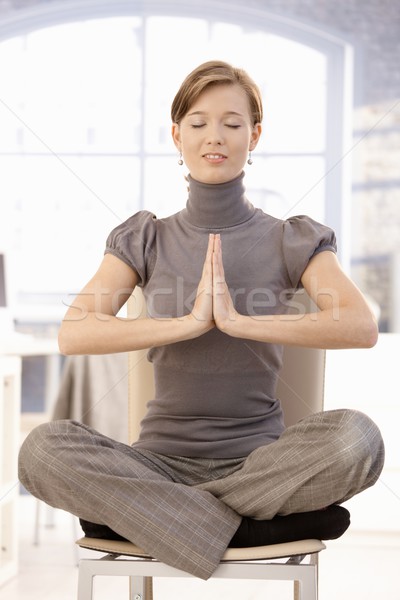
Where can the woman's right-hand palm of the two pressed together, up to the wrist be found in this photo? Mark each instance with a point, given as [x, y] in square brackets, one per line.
[224, 311]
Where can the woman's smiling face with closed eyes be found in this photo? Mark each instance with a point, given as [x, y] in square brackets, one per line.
[216, 134]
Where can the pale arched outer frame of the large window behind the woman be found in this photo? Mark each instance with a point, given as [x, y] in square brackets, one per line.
[340, 67]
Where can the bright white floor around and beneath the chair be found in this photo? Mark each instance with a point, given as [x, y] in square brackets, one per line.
[359, 566]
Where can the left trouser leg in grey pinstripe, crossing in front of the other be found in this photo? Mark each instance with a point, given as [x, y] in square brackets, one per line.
[71, 466]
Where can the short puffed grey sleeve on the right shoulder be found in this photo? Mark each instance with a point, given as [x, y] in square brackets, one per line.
[303, 238]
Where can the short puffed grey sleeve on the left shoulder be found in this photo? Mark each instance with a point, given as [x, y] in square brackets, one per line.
[134, 242]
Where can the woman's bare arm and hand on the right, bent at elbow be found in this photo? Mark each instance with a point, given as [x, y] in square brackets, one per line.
[344, 319]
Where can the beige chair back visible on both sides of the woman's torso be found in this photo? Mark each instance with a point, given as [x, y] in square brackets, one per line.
[300, 385]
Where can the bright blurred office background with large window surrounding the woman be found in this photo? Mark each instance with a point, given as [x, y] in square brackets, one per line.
[85, 91]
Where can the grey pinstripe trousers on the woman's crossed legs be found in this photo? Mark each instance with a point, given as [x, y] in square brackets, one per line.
[184, 511]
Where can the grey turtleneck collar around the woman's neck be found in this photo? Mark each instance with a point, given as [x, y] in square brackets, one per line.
[217, 206]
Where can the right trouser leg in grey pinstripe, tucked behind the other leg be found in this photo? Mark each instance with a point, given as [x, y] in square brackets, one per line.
[324, 459]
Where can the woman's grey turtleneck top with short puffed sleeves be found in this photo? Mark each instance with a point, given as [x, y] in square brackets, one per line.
[215, 395]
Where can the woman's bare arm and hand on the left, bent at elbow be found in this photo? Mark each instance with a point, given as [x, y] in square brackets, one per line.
[91, 327]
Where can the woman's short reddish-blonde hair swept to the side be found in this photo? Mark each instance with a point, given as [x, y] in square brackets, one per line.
[213, 73]
